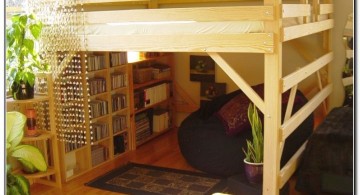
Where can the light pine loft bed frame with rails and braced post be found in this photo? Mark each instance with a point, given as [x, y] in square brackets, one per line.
[173, 27]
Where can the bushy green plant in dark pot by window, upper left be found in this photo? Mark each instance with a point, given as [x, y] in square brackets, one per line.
[22, 57]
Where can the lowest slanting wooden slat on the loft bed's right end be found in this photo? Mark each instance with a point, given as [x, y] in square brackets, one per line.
[290, 167]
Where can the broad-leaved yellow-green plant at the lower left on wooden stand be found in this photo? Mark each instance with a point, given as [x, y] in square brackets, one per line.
[30, 157]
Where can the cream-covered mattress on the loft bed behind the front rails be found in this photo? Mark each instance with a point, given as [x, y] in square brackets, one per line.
[180, 27]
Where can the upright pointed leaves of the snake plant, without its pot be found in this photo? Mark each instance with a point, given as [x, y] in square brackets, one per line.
[255, 149]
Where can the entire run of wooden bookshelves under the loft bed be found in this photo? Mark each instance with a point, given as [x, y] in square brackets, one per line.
[108, 106]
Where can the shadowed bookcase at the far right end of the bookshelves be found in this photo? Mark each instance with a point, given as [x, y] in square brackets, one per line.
[151, 108]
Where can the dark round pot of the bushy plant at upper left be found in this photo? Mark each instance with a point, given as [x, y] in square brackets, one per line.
[22, 91]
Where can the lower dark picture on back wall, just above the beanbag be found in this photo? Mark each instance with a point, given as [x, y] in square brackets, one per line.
[209, 90]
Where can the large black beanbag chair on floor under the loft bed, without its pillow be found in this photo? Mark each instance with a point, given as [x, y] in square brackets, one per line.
[207, 147]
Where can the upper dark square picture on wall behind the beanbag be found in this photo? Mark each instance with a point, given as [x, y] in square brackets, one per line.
[202, 68]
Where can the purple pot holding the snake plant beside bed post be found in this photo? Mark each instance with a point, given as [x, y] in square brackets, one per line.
[253, 172]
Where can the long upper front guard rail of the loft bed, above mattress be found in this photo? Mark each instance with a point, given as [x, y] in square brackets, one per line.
[198, 14]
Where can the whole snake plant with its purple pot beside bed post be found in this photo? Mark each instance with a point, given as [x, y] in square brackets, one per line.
[255, 149]
